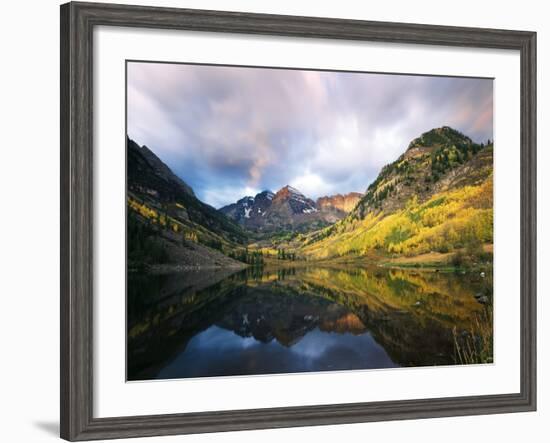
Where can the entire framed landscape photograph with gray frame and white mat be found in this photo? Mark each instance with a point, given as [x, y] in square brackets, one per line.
[272, 221]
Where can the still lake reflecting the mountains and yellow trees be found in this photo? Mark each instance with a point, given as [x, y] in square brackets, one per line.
[288, 320]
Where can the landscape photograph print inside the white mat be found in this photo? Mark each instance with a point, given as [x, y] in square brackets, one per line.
[293, 221]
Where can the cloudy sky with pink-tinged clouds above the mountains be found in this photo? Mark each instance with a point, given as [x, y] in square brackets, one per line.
[231, 131]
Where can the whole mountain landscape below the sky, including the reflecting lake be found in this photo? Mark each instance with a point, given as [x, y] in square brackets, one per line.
[398, 275]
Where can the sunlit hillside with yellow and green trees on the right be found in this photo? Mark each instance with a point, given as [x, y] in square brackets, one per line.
[435, 198]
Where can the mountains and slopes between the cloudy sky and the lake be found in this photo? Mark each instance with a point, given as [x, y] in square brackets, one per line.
[430, 208]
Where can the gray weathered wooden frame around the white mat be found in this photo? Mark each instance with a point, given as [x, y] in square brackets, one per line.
[77, 24]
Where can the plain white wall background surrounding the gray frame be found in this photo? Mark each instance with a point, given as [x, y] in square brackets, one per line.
[29, 220]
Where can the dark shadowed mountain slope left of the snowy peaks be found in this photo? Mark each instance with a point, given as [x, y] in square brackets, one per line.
[168, 225]
